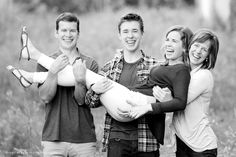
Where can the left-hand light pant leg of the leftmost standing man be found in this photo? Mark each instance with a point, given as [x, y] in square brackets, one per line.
[54, 149]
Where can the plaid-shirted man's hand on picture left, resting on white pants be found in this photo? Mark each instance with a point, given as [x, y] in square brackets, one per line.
[102, 86]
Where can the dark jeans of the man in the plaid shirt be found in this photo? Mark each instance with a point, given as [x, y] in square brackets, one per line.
[127, 148]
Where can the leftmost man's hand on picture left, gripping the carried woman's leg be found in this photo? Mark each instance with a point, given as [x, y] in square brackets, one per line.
[59, 63]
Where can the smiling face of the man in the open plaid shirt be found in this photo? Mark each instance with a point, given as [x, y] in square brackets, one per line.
[130, 36]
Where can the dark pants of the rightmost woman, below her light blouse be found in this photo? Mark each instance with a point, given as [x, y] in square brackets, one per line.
[184, 151]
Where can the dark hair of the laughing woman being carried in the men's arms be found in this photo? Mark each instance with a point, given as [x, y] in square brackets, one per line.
[185, 36]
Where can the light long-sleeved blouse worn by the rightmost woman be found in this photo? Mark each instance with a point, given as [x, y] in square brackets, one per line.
[192, 125]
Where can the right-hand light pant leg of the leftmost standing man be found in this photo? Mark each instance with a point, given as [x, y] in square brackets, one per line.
[82, 149]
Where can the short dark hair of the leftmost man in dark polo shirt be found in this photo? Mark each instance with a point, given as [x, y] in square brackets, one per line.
[69, 17]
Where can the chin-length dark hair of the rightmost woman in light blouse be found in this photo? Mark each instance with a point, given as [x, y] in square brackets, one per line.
[202, 36]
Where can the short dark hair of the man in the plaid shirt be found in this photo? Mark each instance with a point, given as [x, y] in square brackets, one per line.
[132, 17]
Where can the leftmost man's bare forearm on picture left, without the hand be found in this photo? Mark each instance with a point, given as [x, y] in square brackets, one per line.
[48, 89]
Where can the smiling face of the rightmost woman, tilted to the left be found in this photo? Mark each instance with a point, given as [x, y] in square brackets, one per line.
[198, 53]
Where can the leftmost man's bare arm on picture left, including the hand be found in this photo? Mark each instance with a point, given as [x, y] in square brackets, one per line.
[48, 89]
